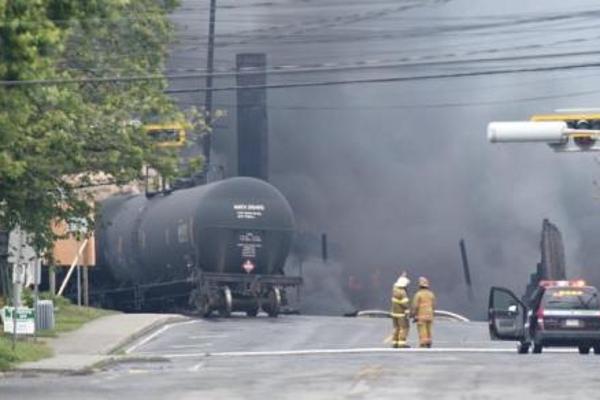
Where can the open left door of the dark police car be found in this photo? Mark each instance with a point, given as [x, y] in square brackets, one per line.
[506, 314]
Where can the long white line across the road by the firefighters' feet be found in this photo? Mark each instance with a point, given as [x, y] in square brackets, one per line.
[367, 350]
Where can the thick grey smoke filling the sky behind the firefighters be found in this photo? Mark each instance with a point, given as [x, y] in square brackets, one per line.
[397, 172]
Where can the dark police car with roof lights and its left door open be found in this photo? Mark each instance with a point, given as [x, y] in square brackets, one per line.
[559, 313]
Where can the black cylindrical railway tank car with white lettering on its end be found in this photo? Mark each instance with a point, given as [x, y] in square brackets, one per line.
[222, 246]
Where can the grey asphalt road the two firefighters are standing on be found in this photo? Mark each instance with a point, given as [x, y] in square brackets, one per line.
[321, 358]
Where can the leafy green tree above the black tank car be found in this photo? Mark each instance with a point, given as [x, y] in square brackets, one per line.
[50, 133]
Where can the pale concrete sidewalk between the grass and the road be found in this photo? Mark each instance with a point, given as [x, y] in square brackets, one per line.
[96, 341]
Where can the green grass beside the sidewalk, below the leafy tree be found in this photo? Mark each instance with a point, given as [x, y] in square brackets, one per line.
[68, 317]
